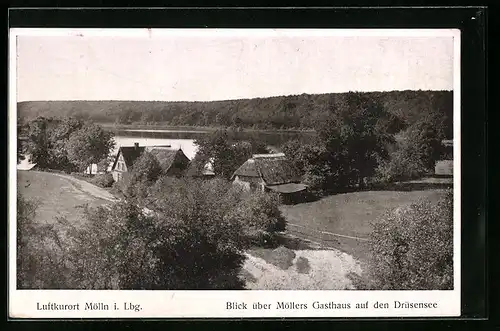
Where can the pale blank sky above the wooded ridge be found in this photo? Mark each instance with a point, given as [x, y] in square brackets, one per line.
[208, 67]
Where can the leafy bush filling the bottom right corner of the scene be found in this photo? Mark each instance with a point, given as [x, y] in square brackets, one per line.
[412, 248]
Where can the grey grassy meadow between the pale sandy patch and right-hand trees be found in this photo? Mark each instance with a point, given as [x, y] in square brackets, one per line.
[348, 214]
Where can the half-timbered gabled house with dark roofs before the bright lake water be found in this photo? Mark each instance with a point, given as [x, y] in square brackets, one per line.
[173, 161]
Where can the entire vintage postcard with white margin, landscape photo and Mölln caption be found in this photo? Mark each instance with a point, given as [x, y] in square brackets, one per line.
[176, 173]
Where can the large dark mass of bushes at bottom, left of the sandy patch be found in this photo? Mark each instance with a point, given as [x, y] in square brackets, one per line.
[186, 243]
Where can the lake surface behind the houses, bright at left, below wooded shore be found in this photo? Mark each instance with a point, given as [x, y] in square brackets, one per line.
[185, 139]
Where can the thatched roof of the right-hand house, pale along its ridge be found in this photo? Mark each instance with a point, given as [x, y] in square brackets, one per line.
[274, 169]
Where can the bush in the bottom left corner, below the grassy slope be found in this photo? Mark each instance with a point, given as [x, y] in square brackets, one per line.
[39, 258]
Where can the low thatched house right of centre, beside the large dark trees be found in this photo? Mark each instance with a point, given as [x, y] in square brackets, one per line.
[270, 172]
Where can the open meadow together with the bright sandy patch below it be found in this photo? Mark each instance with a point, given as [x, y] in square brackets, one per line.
[331, 239]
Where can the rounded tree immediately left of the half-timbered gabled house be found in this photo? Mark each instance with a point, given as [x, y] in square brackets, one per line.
[89, 145]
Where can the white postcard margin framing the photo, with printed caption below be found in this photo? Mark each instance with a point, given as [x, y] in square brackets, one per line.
[182, 304]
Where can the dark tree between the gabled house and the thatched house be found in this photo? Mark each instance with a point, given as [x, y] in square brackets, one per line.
[226, 153]
